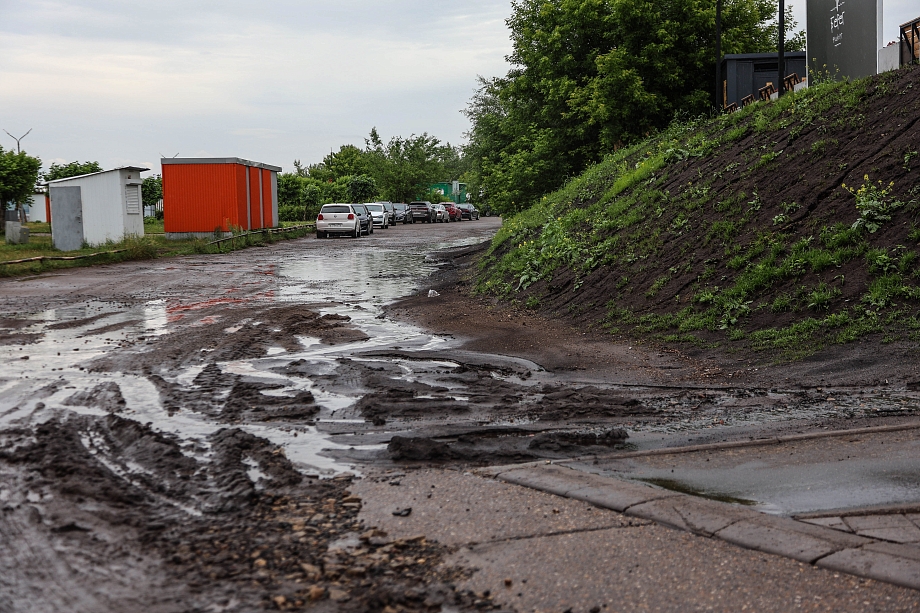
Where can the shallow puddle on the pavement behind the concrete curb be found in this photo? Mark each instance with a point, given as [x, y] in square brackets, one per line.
[819, 475]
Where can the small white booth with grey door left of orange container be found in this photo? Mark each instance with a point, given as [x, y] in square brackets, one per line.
[95, 208]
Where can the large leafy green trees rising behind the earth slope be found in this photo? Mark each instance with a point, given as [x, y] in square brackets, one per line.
[588, 77]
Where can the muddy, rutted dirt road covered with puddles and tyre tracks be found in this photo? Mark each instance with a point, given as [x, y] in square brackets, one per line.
[180, 435]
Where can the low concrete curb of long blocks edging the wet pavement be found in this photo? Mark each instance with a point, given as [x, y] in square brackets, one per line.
[810, 543]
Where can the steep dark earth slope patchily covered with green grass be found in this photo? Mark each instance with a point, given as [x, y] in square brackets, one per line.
[738, 230]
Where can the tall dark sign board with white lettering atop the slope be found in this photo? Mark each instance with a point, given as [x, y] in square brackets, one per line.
[843, 37]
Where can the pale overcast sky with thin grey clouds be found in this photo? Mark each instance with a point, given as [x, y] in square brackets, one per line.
[122, 82]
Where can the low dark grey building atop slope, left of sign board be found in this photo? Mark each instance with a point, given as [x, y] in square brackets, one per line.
[745, 74]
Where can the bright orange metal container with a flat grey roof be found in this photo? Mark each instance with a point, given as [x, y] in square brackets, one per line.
[204, 195]
